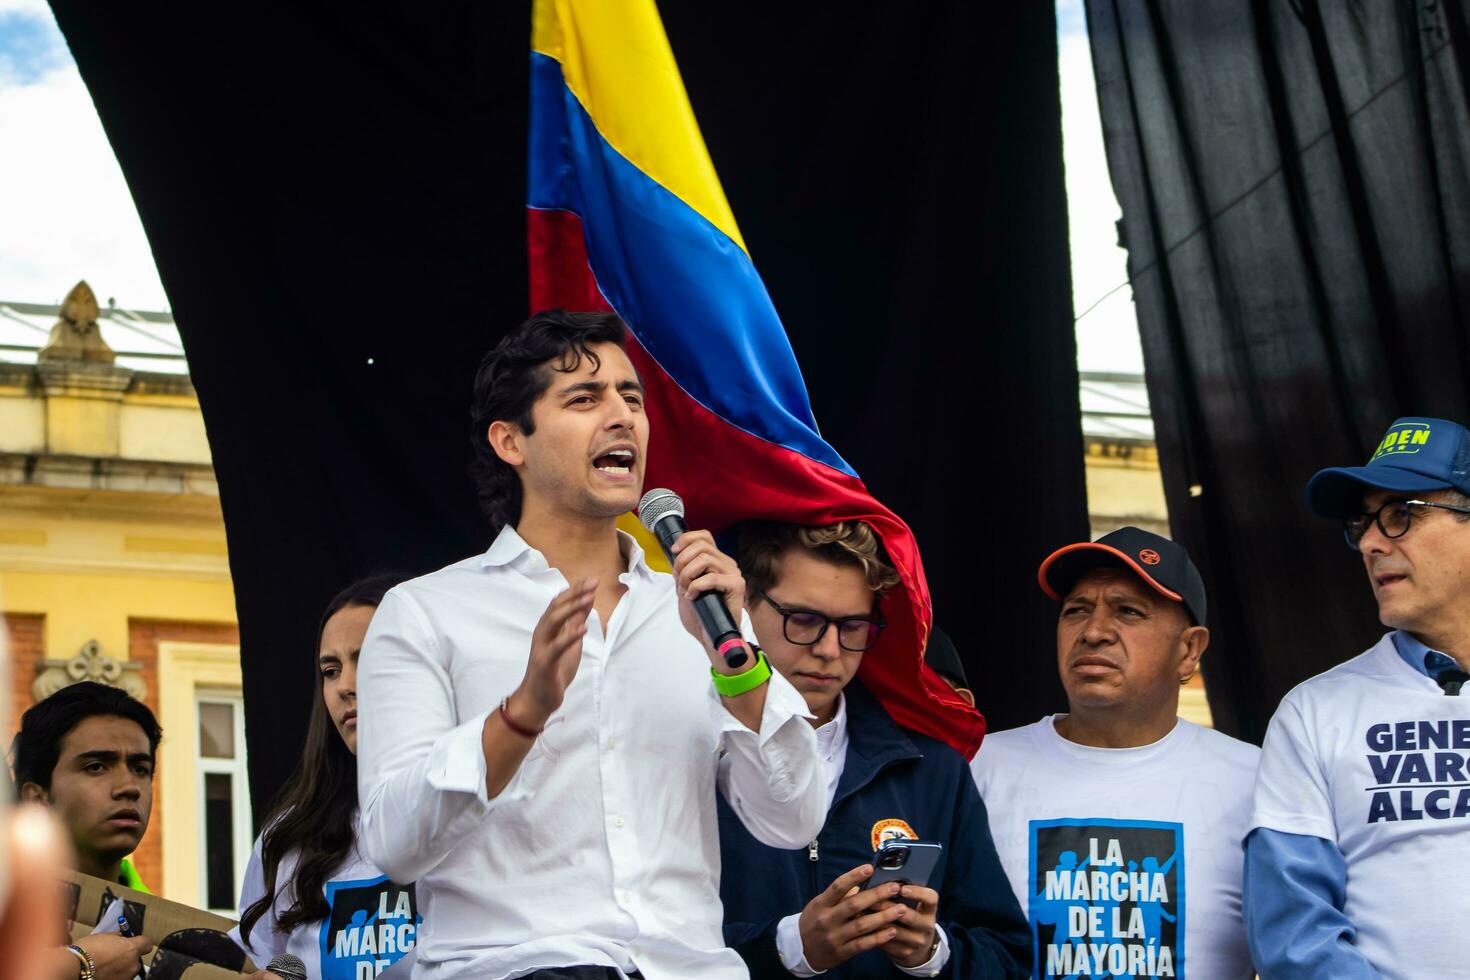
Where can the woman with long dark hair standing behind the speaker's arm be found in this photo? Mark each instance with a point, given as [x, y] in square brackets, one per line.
[308, 890]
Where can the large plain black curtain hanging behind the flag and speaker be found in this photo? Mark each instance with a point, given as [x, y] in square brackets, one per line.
[334, 196]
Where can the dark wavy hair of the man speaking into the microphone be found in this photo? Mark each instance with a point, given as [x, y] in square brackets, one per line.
[511, 378]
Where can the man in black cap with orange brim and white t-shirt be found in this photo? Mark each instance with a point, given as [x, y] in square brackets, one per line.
[1119, 824]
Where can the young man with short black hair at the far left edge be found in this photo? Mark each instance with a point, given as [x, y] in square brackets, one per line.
[87, 753]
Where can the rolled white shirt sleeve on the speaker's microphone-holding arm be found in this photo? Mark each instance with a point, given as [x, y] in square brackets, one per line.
[774, 779]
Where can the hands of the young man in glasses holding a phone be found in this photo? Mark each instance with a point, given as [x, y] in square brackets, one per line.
[846, 920]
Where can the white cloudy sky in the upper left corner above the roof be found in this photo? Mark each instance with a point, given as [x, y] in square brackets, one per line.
[65, 211]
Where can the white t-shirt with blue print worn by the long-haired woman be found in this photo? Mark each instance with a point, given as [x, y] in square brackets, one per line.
[371, 931]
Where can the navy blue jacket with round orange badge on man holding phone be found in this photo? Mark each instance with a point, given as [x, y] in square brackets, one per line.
[890, 774]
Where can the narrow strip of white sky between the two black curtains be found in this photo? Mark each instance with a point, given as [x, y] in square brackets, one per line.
[1108, 337]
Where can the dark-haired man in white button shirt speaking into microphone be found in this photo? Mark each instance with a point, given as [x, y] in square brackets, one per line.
[545, 725]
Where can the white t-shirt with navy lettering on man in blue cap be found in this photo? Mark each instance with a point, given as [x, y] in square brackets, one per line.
[1375, 757]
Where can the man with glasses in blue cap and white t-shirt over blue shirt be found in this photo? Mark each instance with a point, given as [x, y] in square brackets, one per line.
[1362, 826]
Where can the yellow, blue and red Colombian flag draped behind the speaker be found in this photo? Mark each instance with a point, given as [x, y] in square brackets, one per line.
[627, 214]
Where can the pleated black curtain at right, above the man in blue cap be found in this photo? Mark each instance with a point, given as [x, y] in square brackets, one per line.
[1296, 192]
